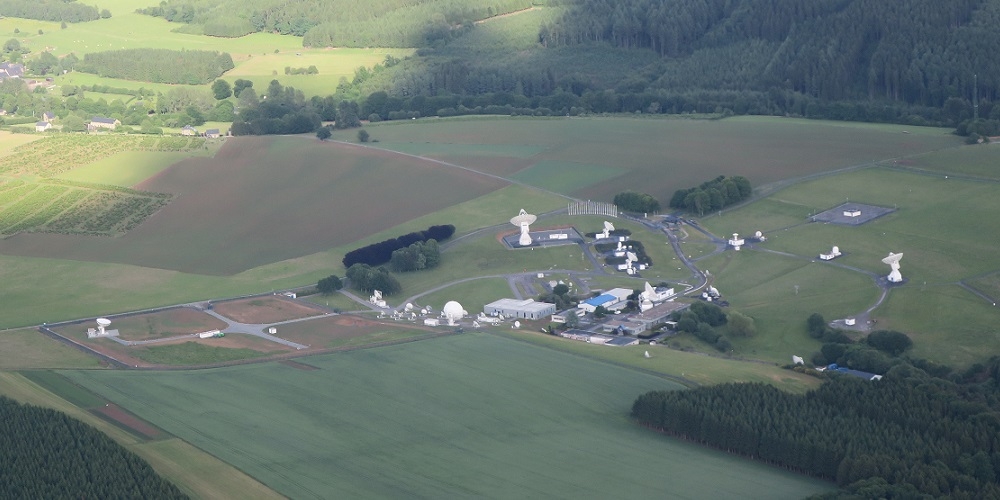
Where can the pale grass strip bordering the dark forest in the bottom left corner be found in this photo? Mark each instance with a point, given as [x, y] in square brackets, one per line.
[195, 472]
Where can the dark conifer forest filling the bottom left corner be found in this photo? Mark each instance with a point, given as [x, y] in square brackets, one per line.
[47, 454]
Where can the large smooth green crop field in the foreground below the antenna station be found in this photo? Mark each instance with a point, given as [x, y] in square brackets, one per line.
[467, 415]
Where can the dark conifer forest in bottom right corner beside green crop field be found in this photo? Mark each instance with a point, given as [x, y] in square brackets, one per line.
[907, 435]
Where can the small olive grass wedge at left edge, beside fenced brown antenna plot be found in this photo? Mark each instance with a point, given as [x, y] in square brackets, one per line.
[27, 348]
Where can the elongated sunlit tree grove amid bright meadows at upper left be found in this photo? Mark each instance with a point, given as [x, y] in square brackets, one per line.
[190, 67]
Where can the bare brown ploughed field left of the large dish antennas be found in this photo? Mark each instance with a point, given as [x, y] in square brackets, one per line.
[266, 199]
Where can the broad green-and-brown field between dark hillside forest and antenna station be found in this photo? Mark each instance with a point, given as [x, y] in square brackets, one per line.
[657, 156]
